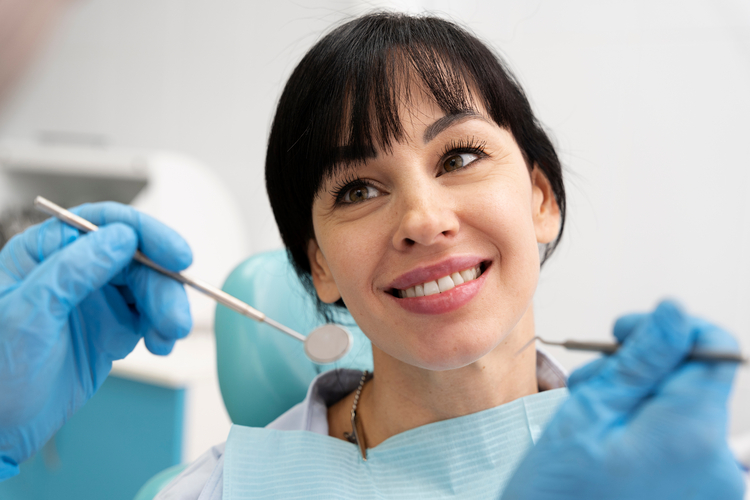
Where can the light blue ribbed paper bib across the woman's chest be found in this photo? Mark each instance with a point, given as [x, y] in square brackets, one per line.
[472, 456]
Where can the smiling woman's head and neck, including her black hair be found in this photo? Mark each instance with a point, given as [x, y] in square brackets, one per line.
[393, 167]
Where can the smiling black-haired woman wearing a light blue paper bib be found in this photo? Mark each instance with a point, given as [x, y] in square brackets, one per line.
[412, 185]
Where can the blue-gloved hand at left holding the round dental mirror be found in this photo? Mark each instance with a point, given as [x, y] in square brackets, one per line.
[70, 304]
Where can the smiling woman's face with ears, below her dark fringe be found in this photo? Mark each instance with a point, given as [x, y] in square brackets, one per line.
[453, 202]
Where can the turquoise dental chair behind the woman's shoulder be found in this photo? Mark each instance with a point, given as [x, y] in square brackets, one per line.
[263, 373]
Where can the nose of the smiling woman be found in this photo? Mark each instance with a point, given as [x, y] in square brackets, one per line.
[426, 217]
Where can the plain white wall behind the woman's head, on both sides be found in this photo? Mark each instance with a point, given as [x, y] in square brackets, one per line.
[648, 102]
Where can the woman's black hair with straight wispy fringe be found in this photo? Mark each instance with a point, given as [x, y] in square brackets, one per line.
[346, 92]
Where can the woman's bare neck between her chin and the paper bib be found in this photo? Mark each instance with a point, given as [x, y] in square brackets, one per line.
[401, 397]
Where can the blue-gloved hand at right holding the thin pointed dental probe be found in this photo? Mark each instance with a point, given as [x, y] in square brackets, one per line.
[642, 424]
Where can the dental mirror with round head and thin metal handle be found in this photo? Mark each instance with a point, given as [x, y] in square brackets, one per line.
[325, 344]
